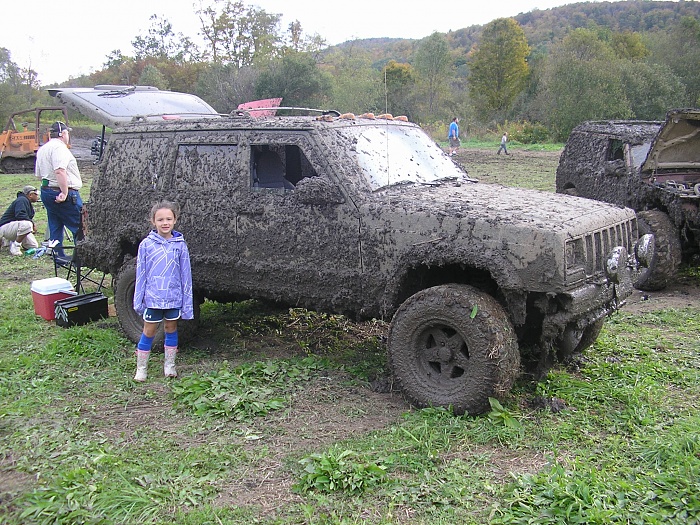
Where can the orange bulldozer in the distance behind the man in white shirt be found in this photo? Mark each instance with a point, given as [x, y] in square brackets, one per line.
[20, 142]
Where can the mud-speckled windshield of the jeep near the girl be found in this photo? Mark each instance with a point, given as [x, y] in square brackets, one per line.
[392, 154]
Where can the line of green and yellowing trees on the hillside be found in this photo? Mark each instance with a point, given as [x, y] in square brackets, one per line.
[604, 60]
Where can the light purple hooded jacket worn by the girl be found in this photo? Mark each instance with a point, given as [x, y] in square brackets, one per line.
[163, 275]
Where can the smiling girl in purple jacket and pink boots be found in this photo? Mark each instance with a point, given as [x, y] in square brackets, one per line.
[163, 287]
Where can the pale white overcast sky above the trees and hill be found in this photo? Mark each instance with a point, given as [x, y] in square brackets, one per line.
[63, 39]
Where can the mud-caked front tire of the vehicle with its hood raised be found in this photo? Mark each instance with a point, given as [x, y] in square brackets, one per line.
[667, 256]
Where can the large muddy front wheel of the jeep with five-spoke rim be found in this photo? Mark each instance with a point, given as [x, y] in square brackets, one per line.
[453, 345]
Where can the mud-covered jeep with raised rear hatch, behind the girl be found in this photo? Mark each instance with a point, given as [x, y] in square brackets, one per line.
[369, 218]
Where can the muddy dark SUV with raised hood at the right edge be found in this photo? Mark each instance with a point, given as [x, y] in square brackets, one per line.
[652, 167]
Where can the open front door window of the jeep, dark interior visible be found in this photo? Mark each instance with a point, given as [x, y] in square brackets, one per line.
[278, 166]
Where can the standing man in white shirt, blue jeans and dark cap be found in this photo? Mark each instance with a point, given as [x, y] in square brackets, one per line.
[60, 183]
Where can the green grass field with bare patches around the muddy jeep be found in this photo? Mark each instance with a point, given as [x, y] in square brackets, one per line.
[286, 417]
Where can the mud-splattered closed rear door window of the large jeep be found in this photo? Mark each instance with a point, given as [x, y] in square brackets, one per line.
[205, 165]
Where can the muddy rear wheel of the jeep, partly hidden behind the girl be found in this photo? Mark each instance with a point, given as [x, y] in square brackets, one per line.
[131, 322]
